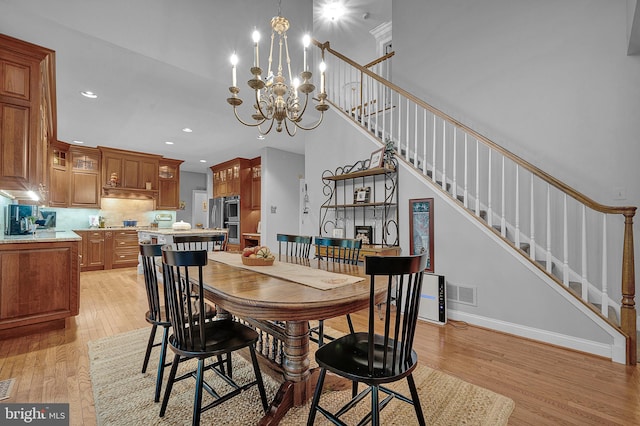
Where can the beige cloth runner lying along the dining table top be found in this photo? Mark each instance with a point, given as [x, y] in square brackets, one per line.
[316, 278]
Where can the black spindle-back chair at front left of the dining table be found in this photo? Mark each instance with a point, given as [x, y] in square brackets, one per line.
[196, 337]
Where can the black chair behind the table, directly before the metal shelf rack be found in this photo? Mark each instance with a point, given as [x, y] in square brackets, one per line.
[340, 250]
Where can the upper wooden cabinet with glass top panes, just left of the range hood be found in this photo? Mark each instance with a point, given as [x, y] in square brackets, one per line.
[85, 185]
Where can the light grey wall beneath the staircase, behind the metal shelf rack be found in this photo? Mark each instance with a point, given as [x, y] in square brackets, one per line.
[510, 295]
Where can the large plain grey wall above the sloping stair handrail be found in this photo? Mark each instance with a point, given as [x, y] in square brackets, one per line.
[549, 80]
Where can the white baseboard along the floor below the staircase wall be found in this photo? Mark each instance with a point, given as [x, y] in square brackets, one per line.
[615, 352]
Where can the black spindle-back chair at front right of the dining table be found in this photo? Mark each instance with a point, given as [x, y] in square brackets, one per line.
[378, 359]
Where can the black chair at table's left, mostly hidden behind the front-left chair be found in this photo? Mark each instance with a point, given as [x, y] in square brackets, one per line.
[157, 314]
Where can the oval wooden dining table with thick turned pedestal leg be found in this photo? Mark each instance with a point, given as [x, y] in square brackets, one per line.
[257, 295]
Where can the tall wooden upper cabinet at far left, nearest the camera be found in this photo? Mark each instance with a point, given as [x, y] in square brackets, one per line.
[27, 113]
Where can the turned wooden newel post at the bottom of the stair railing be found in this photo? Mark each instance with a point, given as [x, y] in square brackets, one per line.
[628, 310]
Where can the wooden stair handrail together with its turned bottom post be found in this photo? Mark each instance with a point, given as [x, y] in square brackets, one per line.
[628, 313]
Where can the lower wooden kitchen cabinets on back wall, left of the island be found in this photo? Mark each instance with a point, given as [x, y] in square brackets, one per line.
[108, 249]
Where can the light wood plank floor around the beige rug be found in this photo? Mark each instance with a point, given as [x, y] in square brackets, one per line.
[549, 385]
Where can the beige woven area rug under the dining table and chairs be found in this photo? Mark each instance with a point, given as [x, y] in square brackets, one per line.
[124, 396]
